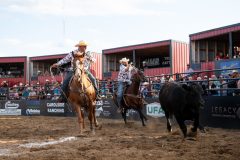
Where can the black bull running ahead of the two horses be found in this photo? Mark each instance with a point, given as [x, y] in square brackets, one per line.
[183, 101]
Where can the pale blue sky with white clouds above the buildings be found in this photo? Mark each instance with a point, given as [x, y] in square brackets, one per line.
[45, 27]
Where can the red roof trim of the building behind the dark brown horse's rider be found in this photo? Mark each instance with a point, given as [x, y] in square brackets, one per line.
[135, 47]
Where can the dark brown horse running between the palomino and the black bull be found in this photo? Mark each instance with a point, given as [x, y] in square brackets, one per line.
[131, 98]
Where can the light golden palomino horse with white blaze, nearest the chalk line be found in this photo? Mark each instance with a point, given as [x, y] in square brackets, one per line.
[82, 94]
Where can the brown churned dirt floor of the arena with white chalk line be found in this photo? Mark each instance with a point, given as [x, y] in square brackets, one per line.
[57, 138]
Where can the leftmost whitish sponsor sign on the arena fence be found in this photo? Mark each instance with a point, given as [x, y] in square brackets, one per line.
[11, 108]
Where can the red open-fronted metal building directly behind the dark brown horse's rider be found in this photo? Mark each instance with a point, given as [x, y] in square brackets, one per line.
[162, 57]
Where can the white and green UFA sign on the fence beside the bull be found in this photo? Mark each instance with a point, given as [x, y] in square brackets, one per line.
[155, 110]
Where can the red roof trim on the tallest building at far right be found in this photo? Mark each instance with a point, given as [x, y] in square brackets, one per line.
[215, 32]
